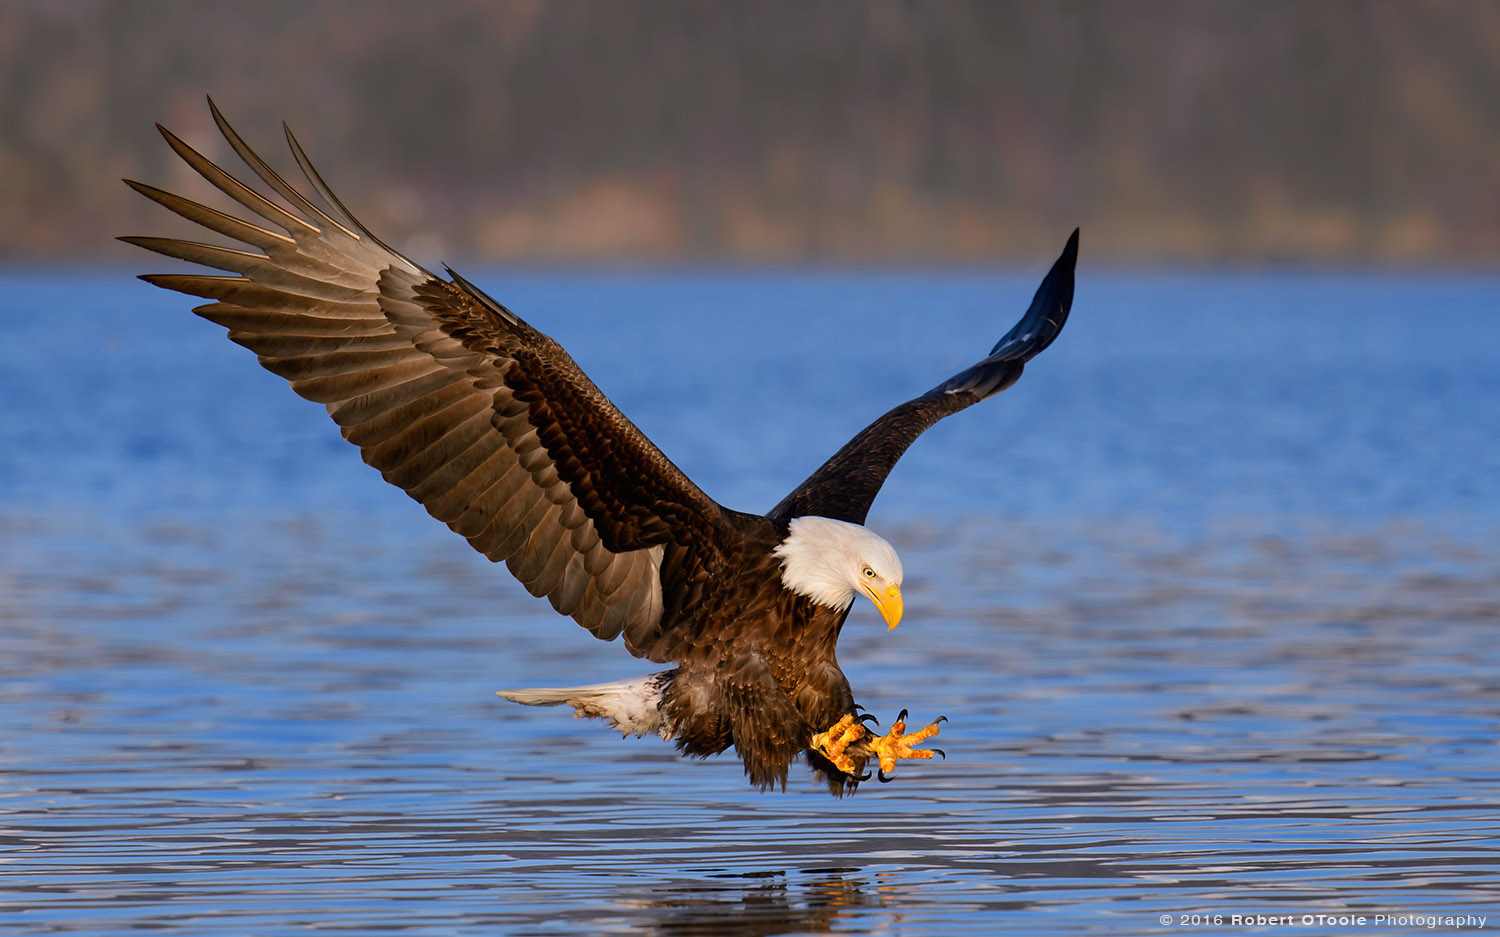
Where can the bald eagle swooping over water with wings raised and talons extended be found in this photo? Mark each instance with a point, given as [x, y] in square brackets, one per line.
[488, 424]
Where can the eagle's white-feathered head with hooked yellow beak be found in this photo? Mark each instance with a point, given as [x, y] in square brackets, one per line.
[832, 561]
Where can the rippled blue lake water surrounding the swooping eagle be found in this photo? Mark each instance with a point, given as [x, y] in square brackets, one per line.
[1222, 641]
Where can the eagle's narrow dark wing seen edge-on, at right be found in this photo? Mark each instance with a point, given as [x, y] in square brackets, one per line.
[845, 486]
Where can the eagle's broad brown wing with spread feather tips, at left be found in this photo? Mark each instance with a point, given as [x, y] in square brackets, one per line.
[452, 397]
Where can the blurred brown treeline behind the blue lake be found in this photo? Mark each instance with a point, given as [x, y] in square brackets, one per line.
[784, 131]
